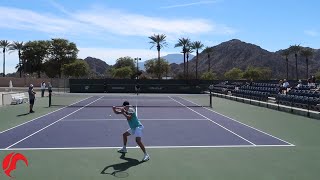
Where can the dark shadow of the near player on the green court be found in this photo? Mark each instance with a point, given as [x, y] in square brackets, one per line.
[120, 168]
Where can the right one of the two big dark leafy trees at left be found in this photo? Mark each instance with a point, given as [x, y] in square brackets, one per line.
[62, 52]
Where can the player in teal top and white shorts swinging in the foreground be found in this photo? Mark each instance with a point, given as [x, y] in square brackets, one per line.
[135, 128]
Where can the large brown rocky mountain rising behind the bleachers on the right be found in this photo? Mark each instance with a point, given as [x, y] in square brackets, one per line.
[236, 53]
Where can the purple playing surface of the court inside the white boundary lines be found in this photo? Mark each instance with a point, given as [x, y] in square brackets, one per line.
[85, 125]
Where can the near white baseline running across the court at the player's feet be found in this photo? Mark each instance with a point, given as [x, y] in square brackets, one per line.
[148, 147]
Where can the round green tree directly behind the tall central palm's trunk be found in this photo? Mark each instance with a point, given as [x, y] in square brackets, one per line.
[151, 67]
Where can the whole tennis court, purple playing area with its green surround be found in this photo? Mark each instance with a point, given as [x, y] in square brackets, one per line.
[79, 135]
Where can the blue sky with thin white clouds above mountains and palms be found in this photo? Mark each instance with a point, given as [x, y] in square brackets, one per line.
[109, 29]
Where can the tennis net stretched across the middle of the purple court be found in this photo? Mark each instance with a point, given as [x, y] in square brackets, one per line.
[141, 100]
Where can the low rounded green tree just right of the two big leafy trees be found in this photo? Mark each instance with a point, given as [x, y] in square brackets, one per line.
[79, 68]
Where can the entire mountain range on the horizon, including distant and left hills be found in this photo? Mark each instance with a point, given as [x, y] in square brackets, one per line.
[230, 54]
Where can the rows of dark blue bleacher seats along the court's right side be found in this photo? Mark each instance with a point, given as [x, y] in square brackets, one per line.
[305, 97]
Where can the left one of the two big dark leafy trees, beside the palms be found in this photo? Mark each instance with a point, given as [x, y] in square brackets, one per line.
[34, 53]
